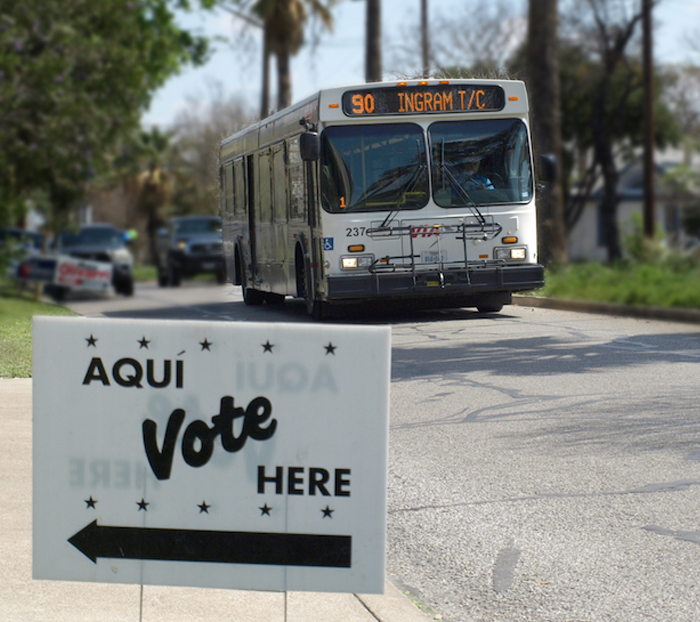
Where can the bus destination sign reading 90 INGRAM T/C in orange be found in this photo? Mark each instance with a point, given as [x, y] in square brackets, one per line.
[423, 99]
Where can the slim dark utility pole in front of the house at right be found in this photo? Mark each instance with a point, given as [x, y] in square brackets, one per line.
[649, 168]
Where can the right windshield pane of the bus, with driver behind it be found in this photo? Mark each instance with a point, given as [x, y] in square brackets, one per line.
[480, 162]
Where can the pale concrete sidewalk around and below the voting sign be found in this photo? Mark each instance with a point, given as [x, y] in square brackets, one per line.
[24, 600]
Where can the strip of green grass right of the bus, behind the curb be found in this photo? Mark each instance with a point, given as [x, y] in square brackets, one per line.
[671, 283]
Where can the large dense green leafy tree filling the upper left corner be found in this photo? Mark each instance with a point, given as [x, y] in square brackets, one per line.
[75, 76]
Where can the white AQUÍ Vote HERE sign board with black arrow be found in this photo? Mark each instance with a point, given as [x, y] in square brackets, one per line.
[210, 454]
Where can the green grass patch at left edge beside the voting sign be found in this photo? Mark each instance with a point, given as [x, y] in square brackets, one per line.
[17, 308]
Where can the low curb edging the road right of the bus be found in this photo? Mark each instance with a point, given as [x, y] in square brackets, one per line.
[669, 314]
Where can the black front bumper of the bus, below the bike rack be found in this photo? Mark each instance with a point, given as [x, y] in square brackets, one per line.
[474, 281]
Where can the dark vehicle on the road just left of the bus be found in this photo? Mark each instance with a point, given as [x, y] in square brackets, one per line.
[188, 246]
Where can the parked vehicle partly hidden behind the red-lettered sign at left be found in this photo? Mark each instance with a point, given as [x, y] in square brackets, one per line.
[104, 243]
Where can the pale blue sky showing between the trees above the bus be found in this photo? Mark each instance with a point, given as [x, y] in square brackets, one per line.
[338, 58]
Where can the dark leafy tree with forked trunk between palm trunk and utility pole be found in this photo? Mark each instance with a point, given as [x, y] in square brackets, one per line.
[606, 89]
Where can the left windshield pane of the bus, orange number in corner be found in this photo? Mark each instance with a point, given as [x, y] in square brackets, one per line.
[374, 168]
